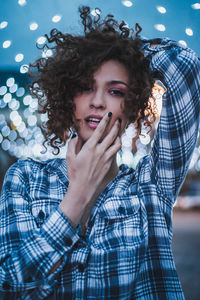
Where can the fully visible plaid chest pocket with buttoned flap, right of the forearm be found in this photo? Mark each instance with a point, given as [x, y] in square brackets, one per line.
[118, 225]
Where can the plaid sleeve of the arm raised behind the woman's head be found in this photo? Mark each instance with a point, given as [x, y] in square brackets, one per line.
[179, 70]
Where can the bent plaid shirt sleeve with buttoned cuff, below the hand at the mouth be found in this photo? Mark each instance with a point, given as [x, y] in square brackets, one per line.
[28, 253]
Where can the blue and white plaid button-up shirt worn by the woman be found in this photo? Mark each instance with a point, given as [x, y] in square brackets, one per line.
[126, 251]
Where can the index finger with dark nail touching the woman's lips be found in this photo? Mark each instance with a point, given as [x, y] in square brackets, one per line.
[99, 131]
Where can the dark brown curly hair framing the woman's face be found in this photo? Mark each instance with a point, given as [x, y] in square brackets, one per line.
[71, 67]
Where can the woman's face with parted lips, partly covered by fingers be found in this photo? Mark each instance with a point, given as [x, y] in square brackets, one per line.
[107, 94]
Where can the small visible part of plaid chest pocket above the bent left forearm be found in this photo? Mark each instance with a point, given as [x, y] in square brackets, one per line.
[42, 208]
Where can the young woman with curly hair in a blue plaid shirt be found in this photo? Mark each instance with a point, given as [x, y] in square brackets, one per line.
[82, 228]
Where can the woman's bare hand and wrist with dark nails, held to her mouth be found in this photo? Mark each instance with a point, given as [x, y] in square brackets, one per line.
[87, 167]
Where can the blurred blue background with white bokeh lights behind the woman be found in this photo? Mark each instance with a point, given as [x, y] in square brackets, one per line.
[23, 24]
